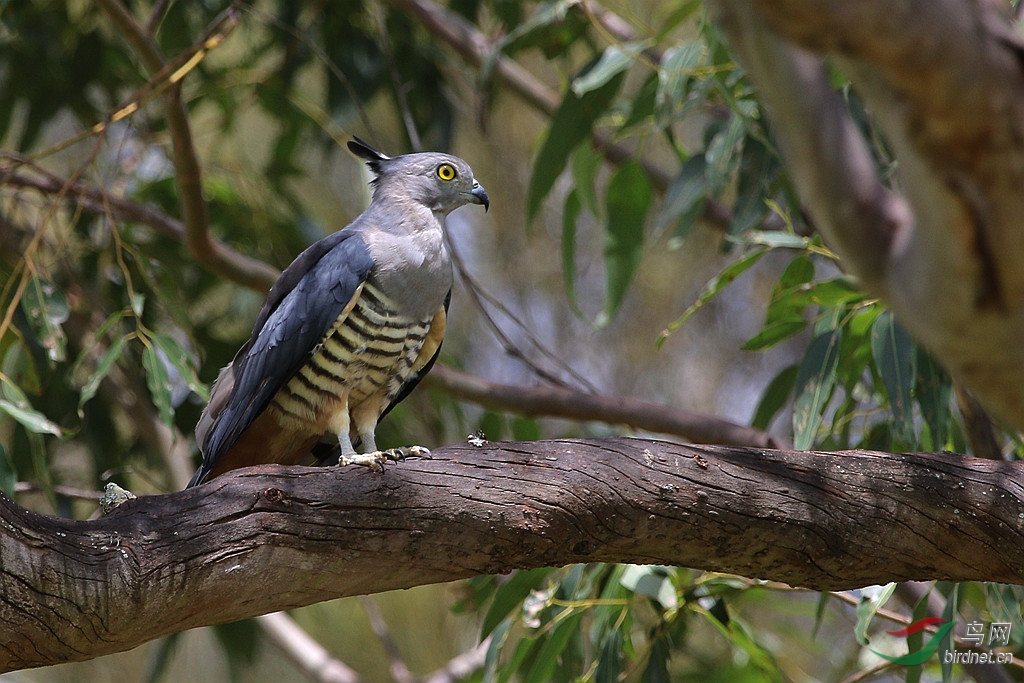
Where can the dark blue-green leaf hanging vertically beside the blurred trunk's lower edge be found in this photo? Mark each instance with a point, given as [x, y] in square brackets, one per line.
[893, 353]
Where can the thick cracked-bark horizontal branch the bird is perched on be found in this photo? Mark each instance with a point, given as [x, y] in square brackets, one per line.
[274, 538]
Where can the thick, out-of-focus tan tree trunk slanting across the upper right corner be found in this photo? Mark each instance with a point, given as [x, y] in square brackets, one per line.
[944, 81]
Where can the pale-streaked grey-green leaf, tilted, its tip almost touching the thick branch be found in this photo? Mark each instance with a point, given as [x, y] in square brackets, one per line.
[816, 380]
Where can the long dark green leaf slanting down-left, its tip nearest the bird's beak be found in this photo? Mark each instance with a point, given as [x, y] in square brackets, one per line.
[571, 125]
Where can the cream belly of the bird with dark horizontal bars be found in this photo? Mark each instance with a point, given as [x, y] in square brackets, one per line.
[369, 354]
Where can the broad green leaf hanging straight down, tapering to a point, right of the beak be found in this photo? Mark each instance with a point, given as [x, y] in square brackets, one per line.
[627, 200]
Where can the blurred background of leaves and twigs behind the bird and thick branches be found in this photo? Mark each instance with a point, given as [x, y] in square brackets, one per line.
[643, 243]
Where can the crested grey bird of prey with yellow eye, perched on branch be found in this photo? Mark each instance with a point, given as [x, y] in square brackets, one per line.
[348, 330]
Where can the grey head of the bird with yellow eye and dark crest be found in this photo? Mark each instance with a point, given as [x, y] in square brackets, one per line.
[440, 182]
